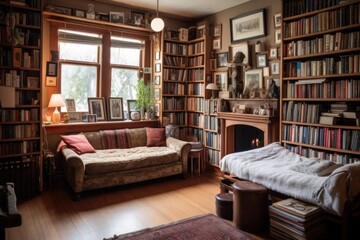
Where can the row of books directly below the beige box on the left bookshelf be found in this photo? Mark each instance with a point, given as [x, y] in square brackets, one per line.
[19, 115]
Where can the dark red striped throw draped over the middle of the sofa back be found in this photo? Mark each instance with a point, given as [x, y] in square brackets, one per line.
[119, 138]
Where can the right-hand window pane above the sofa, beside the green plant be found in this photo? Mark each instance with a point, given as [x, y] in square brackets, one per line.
[126, 57]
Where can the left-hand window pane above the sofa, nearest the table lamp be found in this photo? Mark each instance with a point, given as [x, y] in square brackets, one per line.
[79, 65]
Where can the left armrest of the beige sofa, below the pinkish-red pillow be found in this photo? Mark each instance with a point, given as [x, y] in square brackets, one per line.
[74, 169]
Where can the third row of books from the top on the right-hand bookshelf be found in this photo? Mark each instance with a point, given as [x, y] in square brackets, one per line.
[328, 43]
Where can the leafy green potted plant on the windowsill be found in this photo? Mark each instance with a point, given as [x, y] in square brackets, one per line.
[145, 97]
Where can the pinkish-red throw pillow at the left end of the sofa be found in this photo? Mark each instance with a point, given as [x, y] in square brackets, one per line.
[78, 143]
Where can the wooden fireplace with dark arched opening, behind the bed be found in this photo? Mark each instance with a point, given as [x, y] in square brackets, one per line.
[241, 132]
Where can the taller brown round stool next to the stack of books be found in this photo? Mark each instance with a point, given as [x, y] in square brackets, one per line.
[250, 206]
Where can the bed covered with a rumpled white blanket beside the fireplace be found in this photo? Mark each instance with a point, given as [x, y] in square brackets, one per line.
[321, 182]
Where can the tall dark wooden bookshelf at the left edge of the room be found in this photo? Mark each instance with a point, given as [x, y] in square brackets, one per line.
[20, 80]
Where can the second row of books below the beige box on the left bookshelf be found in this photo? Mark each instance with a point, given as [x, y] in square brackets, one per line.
[19, 131]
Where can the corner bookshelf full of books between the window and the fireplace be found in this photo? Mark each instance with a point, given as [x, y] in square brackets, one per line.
[184, 71]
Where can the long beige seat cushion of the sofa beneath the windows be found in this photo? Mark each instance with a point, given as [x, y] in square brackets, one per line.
[116, 160]
